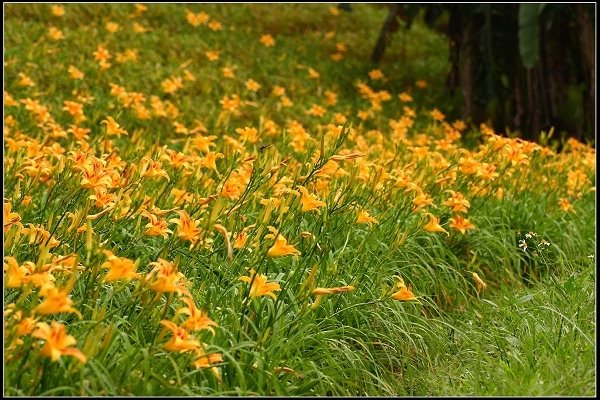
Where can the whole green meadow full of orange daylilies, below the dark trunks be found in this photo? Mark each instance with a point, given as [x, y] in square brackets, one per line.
[230, 199]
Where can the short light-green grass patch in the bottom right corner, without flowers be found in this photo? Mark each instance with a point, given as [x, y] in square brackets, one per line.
[522, 343]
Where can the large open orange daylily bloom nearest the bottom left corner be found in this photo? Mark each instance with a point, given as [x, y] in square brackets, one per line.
[58, 342]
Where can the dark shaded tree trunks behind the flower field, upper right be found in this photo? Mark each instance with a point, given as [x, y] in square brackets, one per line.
[520, 67]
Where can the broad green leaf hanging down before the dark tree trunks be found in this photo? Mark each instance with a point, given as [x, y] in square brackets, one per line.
[529, 33]
